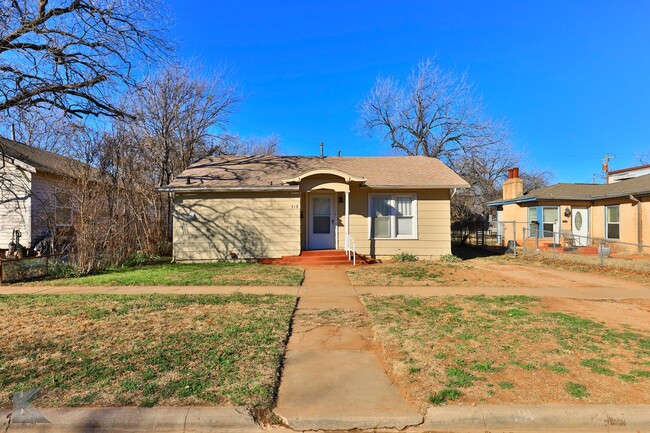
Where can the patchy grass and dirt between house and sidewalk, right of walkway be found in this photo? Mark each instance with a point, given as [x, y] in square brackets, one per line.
[512, 274]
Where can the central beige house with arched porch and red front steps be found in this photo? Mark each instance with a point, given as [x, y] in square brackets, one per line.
[252, 207]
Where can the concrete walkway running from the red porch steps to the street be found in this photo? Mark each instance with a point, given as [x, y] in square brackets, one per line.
[332, 379]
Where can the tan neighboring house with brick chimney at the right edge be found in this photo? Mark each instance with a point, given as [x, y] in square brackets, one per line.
[616, 213]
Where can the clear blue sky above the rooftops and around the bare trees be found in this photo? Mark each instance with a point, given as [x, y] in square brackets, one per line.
[571, 78]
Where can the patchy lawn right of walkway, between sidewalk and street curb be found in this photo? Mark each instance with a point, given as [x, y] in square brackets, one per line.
[508, 350]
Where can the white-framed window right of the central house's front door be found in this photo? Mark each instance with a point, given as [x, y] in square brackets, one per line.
[393, 216]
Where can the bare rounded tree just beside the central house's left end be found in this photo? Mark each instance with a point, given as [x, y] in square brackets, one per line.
[180, 115]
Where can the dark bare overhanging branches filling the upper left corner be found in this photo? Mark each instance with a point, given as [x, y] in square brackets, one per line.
[75, 55]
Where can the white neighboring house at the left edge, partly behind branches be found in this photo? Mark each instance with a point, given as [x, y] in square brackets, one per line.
[34, 192]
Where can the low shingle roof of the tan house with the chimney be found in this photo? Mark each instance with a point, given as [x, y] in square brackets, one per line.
[586, 191]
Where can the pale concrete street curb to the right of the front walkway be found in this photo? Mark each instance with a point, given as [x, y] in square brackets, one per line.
[546, 418]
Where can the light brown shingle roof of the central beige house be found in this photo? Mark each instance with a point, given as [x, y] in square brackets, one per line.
[270, 171]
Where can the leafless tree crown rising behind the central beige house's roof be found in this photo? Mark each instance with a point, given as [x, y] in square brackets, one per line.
[435, 114]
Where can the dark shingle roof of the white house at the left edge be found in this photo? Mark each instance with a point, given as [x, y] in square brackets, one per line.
[42, 160]
